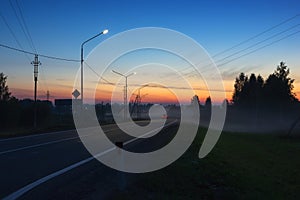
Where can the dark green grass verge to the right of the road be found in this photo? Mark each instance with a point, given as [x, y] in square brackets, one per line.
[241, 166]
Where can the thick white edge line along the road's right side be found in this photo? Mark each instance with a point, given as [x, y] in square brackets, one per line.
[34, 184]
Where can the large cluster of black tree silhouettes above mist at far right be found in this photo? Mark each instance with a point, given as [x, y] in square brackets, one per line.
[254, 91]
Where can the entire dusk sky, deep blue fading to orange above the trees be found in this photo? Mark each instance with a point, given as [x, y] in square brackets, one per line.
[57, 28]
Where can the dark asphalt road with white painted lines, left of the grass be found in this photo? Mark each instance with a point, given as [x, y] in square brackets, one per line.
[57, 166]
